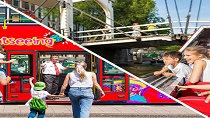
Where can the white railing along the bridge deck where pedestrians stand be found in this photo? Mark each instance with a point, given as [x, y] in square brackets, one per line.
[127, 31]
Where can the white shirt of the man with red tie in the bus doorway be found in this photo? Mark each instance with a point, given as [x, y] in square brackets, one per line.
[49, 68]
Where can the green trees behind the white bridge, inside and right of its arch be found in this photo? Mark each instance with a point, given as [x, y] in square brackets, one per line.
[126, 12]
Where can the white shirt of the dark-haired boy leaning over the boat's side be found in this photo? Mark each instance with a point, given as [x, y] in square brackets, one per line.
[181, 70]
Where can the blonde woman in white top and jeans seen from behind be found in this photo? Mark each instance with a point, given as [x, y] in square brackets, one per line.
[80, 92]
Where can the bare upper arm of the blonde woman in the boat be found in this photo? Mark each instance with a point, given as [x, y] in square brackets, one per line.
[197, 71]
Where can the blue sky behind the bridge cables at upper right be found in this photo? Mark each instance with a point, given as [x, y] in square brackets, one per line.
[183, 8]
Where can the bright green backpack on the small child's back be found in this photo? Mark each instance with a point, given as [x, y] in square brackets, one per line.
[37, 104]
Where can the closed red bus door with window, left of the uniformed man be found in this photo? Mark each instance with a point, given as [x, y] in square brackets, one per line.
[20, 71]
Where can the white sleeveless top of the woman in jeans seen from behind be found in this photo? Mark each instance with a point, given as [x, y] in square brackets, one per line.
[76, 81]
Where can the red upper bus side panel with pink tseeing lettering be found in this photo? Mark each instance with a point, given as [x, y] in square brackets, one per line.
[33, 37]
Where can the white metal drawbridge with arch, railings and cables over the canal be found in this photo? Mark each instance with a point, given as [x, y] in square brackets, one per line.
[115, 35]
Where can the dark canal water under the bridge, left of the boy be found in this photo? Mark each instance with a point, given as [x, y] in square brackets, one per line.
[142, 69]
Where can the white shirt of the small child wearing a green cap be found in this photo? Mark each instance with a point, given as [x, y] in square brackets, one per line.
[39, 94]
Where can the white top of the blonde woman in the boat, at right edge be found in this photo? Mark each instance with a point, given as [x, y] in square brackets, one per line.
[205, 77]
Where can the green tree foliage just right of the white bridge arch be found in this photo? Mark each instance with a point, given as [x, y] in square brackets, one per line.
[129, 11]
